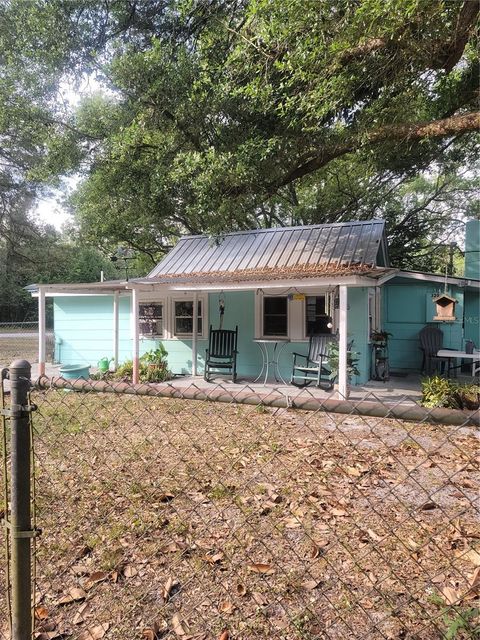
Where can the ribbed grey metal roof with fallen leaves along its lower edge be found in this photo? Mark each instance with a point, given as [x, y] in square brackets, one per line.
[349, 244]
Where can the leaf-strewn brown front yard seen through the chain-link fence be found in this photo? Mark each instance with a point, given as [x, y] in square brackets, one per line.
[191, 519]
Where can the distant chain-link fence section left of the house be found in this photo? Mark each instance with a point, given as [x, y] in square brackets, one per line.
[20, 340]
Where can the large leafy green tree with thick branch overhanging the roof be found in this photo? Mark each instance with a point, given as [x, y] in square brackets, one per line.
[225, 115]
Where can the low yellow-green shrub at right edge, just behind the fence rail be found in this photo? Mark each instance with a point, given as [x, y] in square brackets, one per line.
[443, 392]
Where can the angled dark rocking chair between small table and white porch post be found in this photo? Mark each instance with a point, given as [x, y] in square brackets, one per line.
[315, 369]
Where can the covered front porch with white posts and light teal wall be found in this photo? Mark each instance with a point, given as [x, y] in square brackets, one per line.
[114, 319]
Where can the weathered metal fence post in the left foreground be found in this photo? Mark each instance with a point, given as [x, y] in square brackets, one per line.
[20, 517]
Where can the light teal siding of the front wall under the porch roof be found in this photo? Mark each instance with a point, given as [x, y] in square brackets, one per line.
[85, 327]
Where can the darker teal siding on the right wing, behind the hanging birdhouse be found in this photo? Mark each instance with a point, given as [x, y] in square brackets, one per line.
[407, 308]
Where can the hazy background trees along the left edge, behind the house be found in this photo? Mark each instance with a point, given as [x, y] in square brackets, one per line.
[31, 115]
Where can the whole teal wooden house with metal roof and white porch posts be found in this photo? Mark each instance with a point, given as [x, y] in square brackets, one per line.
[281, 284]
